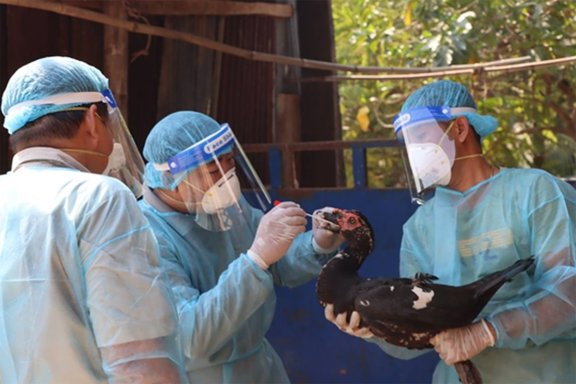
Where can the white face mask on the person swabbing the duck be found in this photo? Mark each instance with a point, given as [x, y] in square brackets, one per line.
[224, 193]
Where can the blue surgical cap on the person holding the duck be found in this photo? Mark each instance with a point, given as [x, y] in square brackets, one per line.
[446, 93]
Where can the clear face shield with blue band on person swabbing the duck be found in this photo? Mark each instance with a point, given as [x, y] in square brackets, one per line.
[209, 177]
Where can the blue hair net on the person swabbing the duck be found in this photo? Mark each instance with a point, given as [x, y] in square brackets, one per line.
[170, 136]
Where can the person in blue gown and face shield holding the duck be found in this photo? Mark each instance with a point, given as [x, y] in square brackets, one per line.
[481, 219]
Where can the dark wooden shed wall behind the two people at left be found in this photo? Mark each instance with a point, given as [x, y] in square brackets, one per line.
[222, 58]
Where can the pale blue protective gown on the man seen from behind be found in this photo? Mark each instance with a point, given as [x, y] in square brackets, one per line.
[78, 274]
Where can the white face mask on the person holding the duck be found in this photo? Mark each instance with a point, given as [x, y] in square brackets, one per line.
[430, 164]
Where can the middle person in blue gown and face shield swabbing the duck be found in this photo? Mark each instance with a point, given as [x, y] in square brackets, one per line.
[223, 255]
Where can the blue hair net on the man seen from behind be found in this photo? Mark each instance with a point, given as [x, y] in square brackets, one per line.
[47, 77]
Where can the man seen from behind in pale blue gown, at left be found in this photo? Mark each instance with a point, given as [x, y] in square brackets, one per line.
[81, 300]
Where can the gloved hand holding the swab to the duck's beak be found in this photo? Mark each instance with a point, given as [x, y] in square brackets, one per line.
[275, 233]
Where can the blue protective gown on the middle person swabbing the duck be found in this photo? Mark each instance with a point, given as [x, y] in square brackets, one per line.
[225, 301]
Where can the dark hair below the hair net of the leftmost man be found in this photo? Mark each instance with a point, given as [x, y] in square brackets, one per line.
[62, 124]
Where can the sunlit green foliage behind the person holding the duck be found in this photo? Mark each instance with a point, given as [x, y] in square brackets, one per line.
[536, 108]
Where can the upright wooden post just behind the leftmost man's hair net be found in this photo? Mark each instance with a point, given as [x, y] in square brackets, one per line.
[116, 55]
